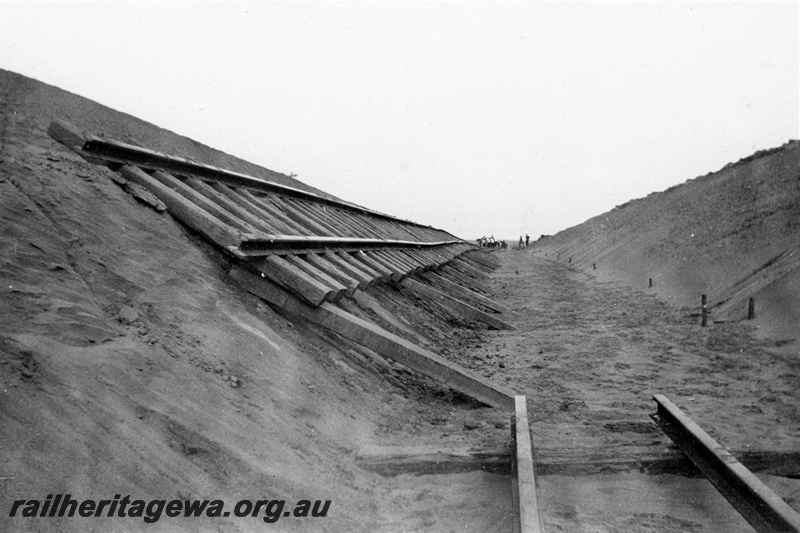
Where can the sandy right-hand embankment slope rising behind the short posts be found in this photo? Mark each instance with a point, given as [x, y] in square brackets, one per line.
[732, 234]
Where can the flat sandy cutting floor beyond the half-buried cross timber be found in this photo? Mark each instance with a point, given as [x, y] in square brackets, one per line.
[601, 350]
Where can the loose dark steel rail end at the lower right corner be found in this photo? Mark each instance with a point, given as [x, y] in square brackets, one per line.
[756, 502]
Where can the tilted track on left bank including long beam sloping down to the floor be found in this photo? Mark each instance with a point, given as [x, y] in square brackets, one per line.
[300, 251]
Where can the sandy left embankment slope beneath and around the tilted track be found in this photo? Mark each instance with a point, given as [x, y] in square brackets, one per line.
[131, 365]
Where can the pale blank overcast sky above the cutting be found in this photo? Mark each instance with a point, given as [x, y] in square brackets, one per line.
[478, 118]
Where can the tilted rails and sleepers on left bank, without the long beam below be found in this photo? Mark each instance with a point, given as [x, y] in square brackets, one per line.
[316, 247]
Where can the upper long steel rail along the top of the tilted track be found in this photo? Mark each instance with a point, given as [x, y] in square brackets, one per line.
[126, 154]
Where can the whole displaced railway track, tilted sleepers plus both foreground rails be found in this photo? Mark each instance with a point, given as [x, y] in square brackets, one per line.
[303, 252]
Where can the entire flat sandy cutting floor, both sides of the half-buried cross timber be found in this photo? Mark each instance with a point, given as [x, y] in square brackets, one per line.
[589, 355]
